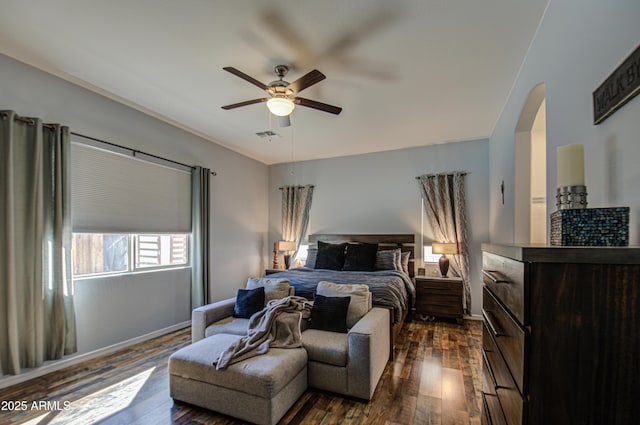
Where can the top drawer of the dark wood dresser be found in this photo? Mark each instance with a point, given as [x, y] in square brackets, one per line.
[506, 280]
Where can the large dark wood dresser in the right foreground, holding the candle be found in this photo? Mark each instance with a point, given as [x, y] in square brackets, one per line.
[561, 336]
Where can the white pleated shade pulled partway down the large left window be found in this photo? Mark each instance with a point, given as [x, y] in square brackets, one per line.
[114, 193]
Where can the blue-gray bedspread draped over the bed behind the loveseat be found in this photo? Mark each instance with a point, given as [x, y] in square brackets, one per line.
[388, 288]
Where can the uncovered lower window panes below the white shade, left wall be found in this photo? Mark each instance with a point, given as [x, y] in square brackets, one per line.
[103, 253]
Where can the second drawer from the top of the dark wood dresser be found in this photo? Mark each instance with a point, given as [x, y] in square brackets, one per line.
[507, 336]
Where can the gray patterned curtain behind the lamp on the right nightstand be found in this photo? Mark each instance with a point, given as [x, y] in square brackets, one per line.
[444, 201]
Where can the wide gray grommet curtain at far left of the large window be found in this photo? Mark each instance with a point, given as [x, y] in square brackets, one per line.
[37, 319]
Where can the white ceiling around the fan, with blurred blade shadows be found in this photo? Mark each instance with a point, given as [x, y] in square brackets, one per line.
[407, 72]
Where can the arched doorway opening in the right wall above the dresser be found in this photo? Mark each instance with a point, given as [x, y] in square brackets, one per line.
[531, 170]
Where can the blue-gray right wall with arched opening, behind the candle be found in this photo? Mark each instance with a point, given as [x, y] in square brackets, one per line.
[578, 45]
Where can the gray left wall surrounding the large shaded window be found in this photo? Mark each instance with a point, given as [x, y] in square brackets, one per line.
[114, 309]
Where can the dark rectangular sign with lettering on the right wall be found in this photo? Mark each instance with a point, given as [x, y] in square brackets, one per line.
[621, 86]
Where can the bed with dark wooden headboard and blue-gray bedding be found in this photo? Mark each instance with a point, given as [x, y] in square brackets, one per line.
[391, 289]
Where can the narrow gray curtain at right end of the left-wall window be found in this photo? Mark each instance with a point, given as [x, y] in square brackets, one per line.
[200, 227]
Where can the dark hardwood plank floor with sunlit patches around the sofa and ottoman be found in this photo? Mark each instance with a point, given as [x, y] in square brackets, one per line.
[435, 378]
